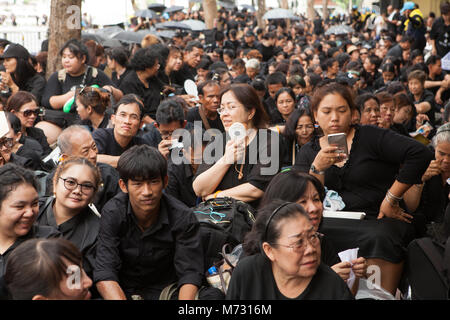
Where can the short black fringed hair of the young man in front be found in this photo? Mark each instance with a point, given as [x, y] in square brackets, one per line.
[141, 162]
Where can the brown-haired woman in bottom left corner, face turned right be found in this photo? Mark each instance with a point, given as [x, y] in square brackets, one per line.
[38, 270]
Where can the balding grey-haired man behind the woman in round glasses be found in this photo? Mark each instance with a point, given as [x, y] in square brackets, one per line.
[76, 141]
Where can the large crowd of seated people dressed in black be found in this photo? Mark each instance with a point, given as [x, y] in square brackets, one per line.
[118, 206]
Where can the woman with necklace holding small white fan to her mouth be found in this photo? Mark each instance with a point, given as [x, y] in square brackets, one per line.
[233, 174]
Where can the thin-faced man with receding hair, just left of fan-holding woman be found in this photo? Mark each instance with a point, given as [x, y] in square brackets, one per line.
[209, 96]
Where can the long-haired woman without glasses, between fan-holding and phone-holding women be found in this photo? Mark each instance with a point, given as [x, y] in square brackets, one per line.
[286, 104]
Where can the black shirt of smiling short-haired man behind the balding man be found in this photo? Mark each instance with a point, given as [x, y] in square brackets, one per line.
[107, 144]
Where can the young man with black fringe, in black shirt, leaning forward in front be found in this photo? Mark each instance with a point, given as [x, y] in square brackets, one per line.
[147, 240]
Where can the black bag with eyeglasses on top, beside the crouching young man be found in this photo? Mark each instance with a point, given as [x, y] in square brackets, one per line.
[222, 221]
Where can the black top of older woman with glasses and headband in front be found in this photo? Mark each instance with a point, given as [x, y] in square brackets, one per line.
[253, 280]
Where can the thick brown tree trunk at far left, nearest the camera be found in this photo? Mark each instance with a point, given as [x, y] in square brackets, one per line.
[65, 24]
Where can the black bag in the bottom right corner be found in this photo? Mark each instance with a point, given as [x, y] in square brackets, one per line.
[428, 269]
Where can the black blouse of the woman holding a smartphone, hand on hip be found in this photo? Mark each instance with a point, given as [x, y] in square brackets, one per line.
[377, 158]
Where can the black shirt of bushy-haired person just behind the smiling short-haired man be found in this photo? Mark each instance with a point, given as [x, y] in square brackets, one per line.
[151, 96]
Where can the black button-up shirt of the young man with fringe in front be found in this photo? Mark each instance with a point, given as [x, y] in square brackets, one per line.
[146, 262]
